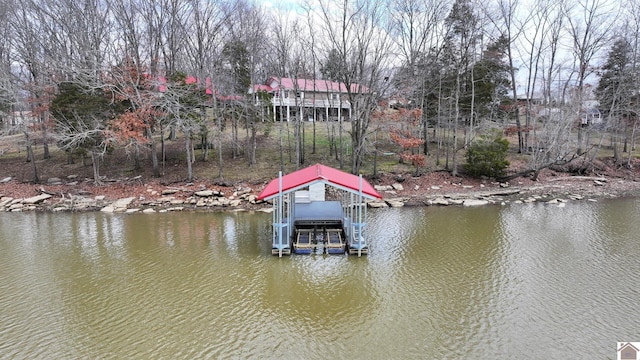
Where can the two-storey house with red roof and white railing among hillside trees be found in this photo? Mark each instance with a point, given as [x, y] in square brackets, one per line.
[309, 99]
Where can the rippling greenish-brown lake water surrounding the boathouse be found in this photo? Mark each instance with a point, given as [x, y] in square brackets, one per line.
[528, 281]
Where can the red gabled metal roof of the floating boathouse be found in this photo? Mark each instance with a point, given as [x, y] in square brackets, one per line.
[318, 173]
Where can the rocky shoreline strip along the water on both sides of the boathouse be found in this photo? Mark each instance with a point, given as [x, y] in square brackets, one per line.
[53, 196]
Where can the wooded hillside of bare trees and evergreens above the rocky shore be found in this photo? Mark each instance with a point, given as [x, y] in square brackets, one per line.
[159, 80]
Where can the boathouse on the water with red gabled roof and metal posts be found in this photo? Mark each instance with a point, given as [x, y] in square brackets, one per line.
[305, 221]
